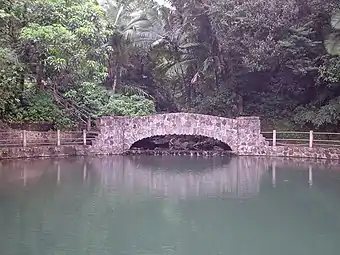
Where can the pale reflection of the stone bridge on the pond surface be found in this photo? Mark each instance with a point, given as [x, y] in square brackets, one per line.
[235, 177]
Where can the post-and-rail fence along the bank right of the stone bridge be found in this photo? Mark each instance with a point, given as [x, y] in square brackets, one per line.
[304, 139]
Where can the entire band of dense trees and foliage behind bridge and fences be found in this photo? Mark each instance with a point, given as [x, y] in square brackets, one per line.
[276, 59]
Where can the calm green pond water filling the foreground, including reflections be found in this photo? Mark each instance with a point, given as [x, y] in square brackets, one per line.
[168, 205]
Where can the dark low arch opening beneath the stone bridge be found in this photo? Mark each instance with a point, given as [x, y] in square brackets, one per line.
[180, 143]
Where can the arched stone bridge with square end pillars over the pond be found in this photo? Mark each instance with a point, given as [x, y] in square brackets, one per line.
[118, 134]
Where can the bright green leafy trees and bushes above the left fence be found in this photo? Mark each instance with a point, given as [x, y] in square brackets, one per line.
[52, 49]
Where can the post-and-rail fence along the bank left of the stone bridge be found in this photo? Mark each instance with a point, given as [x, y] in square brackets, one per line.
[25, 138]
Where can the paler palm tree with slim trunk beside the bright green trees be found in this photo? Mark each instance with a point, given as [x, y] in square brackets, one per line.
[130, 26]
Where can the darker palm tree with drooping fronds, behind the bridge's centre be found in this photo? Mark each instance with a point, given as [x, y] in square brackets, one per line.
[189, 50]
